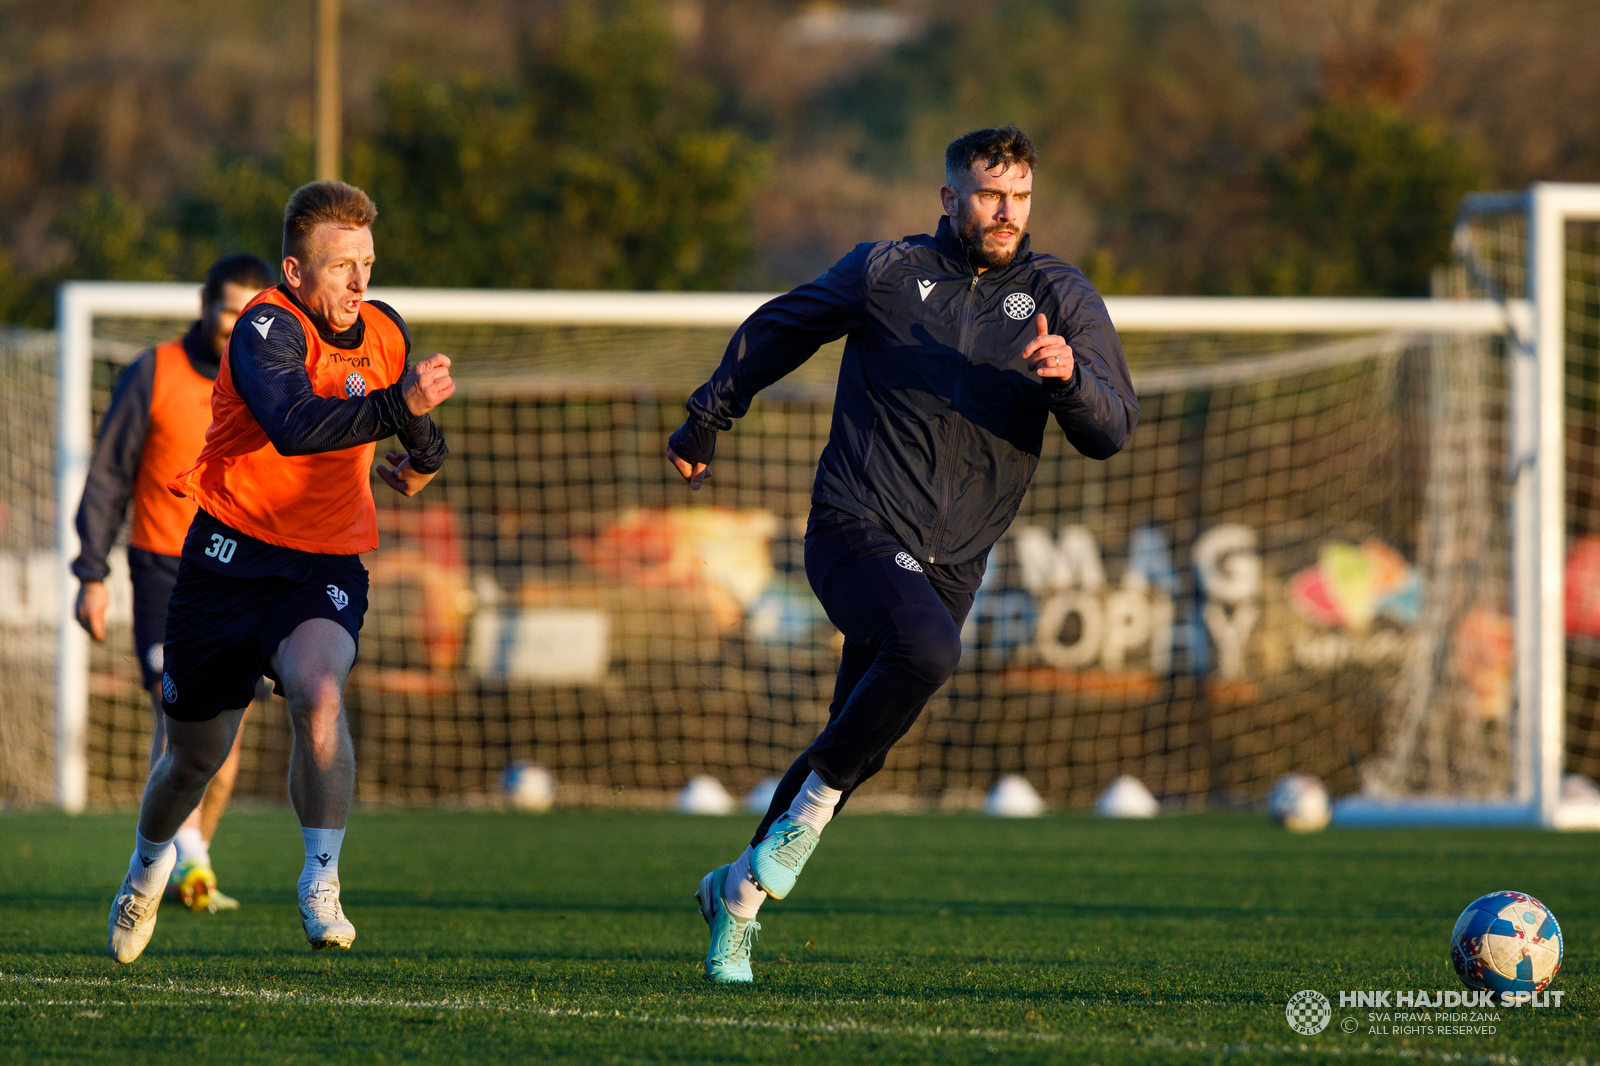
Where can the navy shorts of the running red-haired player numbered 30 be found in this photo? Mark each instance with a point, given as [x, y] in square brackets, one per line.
[223, 631]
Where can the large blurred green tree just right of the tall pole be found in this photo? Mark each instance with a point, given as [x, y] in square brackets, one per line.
[601, 167]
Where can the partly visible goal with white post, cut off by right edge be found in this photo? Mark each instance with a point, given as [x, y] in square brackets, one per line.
[1545, 246]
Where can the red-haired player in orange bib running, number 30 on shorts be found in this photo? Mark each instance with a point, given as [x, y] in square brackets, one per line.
[271, 580]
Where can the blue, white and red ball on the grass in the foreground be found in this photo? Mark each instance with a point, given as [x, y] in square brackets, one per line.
[1506, 942]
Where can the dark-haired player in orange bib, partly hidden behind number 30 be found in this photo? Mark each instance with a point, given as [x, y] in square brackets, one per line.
[153, 431]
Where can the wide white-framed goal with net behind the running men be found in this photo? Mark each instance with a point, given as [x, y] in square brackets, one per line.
[1302, 563]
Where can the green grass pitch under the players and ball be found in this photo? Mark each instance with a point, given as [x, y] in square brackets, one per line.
[574, 937]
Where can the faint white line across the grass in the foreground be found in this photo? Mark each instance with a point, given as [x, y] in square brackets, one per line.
[822, 1028]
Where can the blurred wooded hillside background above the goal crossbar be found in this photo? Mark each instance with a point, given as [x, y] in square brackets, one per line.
[612, 143]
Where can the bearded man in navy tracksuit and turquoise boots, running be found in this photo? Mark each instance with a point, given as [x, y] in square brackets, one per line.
[961, 347]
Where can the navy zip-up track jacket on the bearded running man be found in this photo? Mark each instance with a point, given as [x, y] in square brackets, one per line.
[938, 420]
